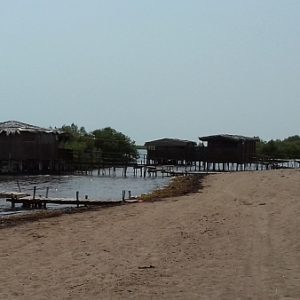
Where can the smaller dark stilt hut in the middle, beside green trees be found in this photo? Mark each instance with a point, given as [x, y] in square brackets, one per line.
[170, 151]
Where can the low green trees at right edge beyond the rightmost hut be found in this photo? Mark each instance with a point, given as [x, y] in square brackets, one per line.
[284, 149]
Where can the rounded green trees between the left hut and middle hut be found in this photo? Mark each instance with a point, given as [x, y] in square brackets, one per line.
[102, 146]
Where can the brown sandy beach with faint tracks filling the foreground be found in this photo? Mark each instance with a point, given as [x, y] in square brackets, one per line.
[237, 238]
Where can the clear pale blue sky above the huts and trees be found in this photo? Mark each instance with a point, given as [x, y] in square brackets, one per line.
[153, 69]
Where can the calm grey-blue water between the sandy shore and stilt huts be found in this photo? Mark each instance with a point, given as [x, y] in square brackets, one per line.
[96, 187]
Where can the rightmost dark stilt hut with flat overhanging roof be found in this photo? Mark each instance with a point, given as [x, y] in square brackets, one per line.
[225, 148]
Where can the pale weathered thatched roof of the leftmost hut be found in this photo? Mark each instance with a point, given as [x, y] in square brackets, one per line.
[15, 127]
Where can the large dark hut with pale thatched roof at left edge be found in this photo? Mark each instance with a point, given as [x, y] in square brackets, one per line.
[27, 148]
